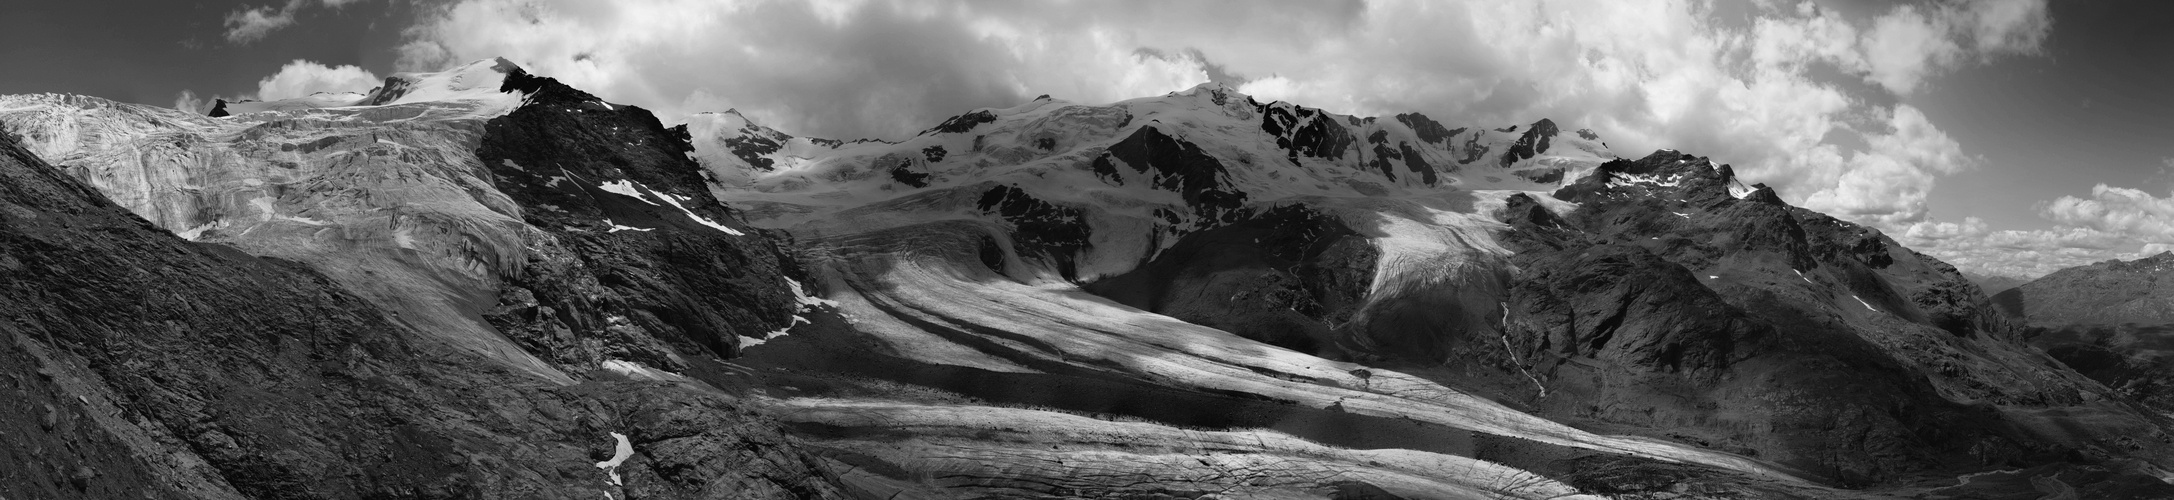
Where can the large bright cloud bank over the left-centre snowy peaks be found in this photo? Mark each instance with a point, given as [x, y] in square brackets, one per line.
[816, 68]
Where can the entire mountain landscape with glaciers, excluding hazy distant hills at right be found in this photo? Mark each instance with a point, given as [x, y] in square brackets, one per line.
[486, 284]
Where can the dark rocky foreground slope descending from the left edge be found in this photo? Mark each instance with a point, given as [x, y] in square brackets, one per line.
[145, 366]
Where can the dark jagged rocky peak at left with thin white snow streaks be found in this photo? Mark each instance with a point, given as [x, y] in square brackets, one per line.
[675, 279]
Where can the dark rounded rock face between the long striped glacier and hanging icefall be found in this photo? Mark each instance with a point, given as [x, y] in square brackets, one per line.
[1286, 277]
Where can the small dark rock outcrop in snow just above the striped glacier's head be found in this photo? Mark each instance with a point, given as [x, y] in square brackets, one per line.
[1040, 229]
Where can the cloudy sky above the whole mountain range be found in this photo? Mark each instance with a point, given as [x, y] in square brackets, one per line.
[2003, 136]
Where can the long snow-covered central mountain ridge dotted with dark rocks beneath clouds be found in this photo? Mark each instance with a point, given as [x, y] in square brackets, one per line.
[1101, 153]
